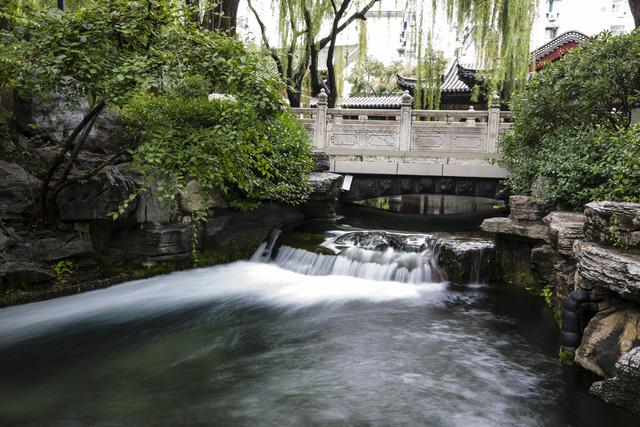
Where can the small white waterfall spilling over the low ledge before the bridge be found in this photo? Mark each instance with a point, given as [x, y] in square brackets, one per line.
[387, 265]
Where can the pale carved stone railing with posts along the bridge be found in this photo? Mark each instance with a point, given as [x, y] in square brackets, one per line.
[405, 132]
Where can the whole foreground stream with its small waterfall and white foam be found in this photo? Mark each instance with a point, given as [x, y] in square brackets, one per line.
[373, 335]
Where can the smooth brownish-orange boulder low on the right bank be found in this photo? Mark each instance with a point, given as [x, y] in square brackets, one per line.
[611, 333]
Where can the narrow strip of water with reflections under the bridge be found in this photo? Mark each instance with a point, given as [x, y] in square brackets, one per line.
[433, 204]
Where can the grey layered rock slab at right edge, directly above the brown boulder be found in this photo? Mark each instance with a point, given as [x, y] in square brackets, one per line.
[609, 269]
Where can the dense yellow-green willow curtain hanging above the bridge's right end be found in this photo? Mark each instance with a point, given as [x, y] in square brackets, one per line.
[501, 31]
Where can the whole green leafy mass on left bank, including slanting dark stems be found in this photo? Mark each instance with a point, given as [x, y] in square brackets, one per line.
[142, 56]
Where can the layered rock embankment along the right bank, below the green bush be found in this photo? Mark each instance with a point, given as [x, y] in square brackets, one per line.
[588, 267]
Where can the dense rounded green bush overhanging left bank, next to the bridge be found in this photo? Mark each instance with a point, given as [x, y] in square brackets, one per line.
[223, 144]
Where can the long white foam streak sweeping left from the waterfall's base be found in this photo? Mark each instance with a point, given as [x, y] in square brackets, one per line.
[265, 283]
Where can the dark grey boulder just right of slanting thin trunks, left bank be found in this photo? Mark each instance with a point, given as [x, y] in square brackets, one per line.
[94, 199]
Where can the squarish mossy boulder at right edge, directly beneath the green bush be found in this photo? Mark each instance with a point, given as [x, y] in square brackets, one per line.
[613, 223]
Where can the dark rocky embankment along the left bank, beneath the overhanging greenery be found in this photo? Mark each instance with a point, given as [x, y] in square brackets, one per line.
[148, 236]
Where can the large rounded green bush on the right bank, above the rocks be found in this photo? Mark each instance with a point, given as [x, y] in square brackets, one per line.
[572, 140]
